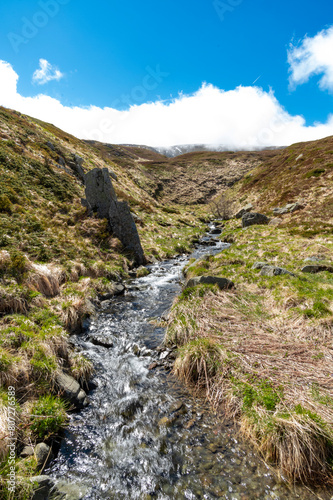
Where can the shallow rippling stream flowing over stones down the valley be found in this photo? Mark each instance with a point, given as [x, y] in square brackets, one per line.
[142, 435]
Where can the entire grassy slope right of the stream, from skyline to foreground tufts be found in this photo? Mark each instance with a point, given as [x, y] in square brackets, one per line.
[262, 352]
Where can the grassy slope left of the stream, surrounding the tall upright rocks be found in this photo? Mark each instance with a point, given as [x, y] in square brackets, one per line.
[55, 260]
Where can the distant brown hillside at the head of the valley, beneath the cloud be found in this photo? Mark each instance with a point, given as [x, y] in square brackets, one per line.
[192, 178]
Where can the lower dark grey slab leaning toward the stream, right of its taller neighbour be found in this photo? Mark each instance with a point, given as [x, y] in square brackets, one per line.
[123, 226]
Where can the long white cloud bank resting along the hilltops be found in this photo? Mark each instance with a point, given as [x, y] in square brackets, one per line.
[246, 117]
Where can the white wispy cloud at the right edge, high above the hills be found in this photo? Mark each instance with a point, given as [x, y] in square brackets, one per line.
[314, 56]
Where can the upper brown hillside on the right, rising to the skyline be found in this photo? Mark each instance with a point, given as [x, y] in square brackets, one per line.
[302, 172]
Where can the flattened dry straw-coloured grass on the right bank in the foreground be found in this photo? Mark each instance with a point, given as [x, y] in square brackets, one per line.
[226, 346]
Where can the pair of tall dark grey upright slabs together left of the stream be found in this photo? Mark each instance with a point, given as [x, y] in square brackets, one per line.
[101, 198]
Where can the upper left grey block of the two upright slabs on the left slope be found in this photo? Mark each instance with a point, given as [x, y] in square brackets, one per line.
[100, 193]
